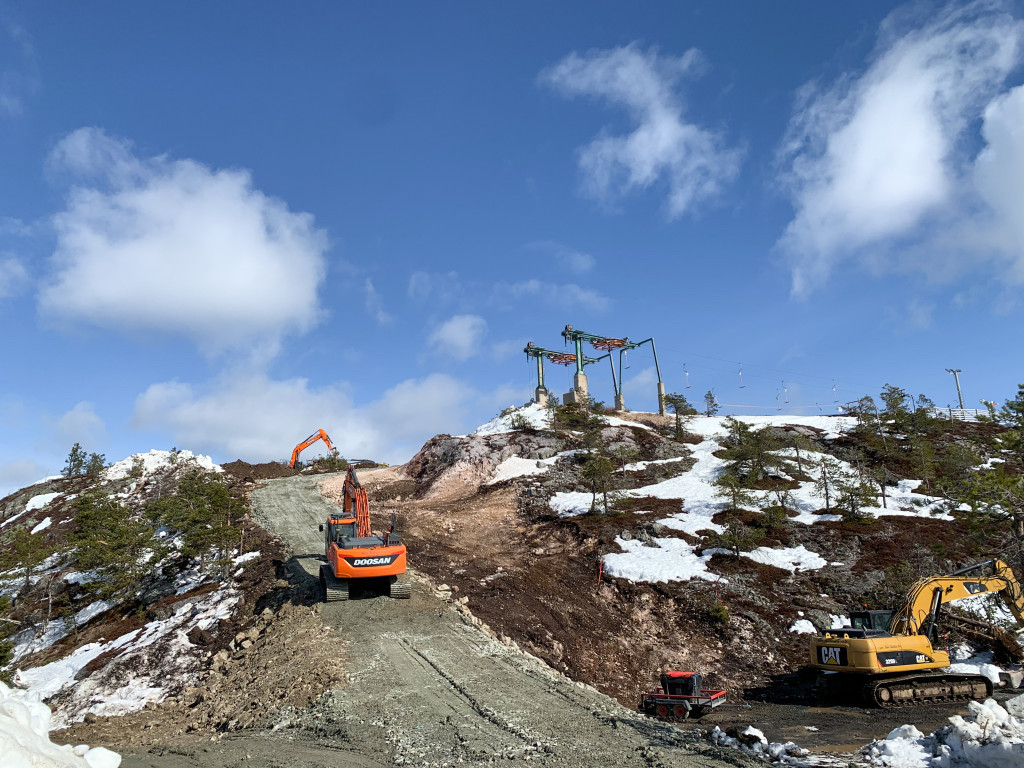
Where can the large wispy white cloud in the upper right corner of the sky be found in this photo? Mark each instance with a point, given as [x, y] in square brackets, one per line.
[874, 158]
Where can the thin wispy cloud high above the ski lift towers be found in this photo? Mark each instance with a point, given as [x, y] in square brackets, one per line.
[664, 146]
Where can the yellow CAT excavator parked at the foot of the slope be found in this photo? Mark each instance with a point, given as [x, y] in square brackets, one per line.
[888, 658]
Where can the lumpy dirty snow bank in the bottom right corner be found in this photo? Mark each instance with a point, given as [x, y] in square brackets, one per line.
[991, 738]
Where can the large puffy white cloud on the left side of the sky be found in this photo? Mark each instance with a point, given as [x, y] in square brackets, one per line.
[175, 246]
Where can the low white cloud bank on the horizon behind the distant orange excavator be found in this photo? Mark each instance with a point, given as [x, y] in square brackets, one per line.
[219, 418]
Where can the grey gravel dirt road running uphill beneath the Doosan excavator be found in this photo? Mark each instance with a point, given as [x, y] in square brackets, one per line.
[428, 688]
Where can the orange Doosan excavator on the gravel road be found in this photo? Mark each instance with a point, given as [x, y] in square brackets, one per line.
[355, 556]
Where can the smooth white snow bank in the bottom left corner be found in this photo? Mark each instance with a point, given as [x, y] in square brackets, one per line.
[25, 740]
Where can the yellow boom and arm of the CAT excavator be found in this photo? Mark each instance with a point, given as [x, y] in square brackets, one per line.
[919, 614]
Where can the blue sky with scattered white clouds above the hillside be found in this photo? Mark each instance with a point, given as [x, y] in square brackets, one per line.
[226, 226]
